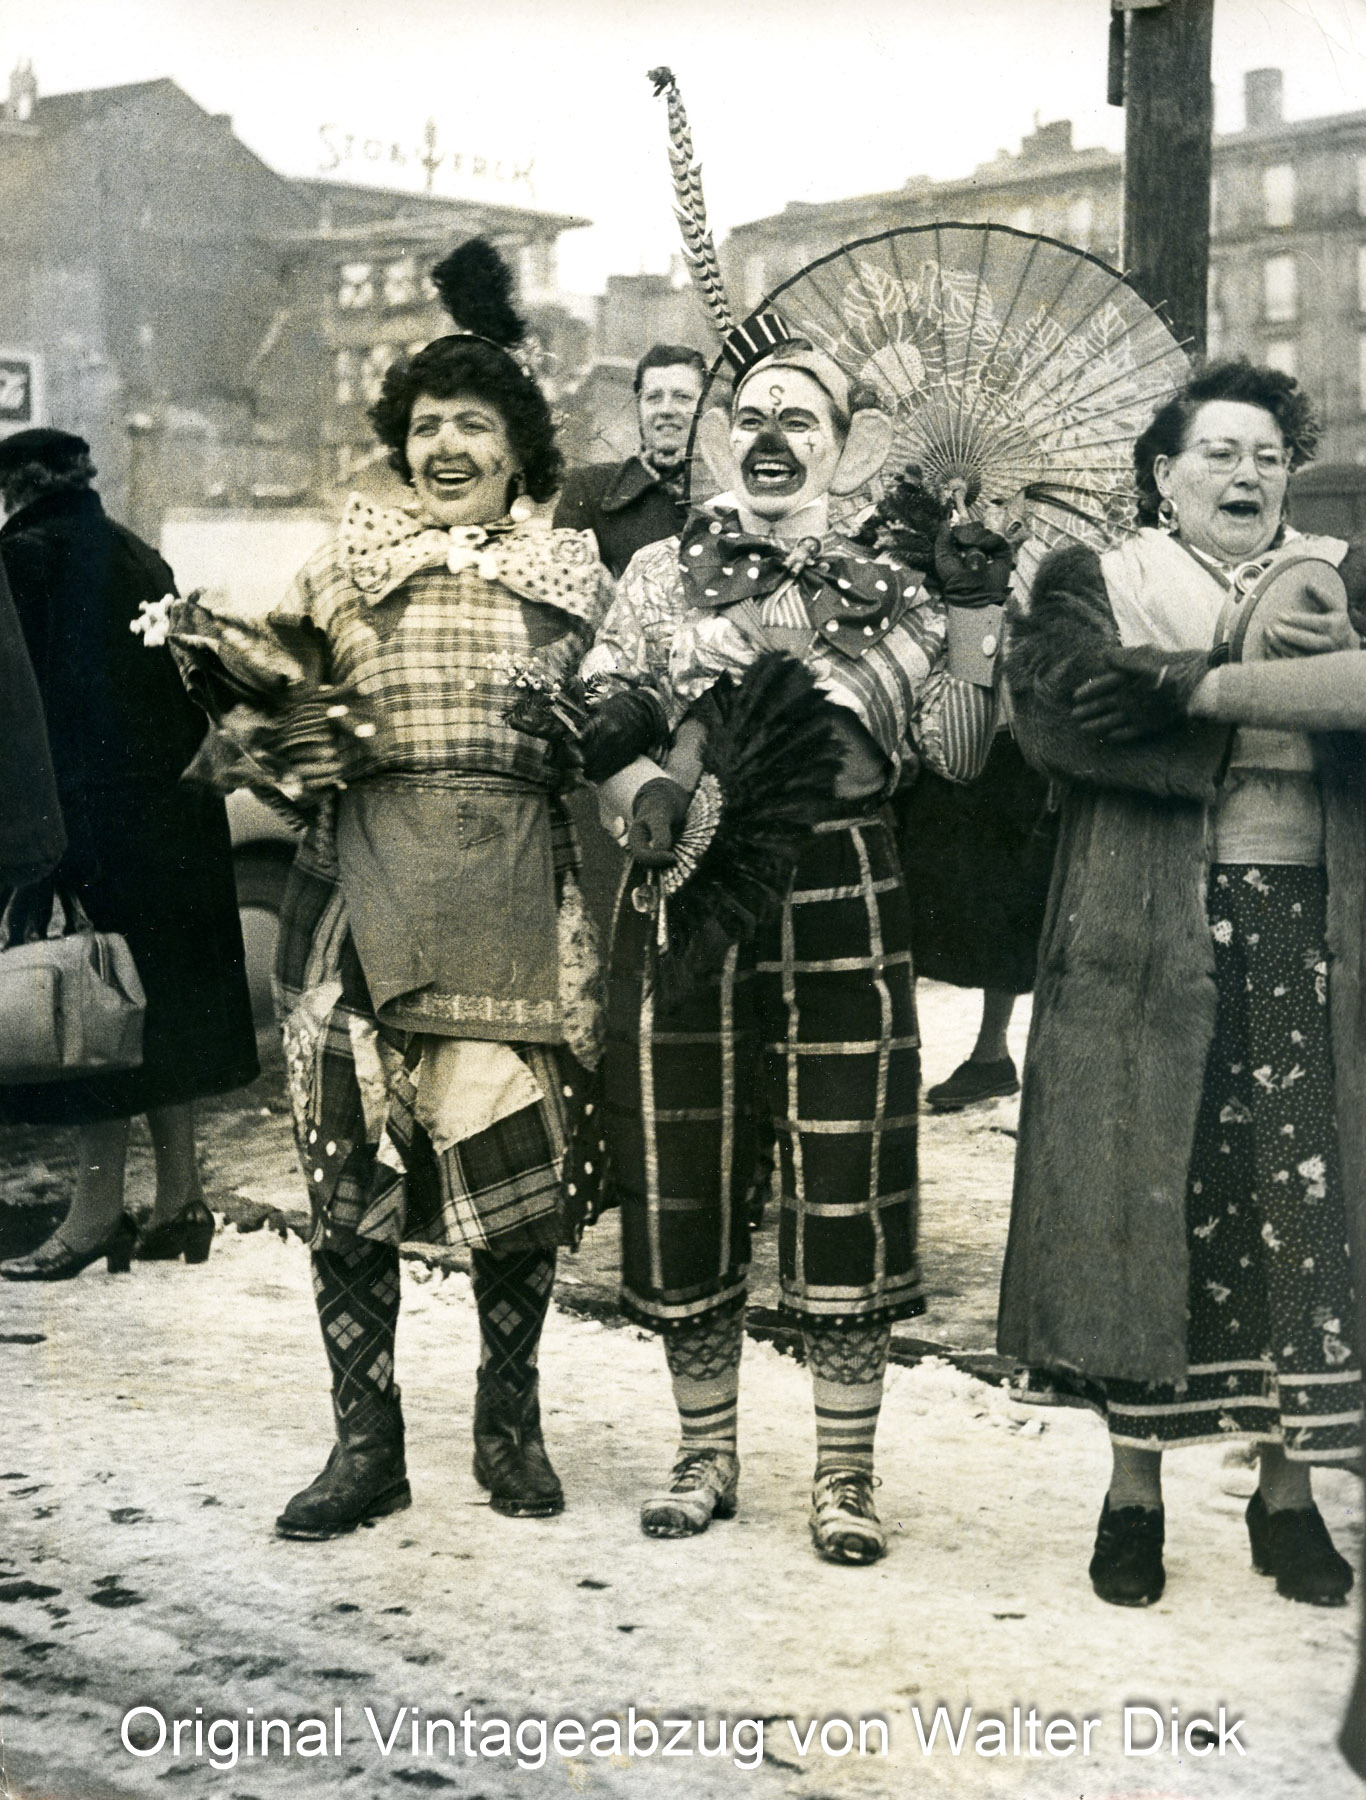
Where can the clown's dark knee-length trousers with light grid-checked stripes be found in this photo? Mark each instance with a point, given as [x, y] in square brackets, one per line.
[807, 1041]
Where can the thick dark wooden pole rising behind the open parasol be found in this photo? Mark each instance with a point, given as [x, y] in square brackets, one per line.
[1160, 75]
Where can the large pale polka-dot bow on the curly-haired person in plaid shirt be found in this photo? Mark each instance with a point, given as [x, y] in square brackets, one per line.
[382, 546]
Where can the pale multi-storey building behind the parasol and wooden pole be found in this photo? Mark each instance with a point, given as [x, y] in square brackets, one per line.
[1288, 262]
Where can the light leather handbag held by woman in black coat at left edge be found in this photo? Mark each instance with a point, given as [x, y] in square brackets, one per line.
[71, 1002]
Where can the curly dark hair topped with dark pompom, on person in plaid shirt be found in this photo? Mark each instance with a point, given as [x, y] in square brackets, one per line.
[476, 289]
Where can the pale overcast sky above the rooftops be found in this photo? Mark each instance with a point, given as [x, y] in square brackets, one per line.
[789, 100]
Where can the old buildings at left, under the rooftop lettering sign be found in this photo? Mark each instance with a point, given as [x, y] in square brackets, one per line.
[211, 327]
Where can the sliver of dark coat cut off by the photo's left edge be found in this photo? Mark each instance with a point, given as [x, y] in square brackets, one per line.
[31, 832]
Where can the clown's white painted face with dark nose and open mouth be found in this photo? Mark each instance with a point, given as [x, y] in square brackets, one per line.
[787, 442]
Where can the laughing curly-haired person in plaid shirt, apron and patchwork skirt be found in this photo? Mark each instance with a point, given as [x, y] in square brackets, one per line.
[436, 978]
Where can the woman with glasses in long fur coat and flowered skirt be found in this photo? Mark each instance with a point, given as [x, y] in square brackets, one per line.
[1192, 1158]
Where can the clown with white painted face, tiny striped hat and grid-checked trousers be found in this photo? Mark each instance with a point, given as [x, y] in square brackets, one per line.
[807, 1038]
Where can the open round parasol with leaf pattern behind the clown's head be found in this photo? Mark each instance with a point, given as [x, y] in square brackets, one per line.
[1018, 370]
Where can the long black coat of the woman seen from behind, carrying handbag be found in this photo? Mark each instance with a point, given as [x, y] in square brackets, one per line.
[148, 856]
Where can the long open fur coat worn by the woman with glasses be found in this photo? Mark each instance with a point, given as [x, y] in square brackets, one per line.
[1097, 1270]
